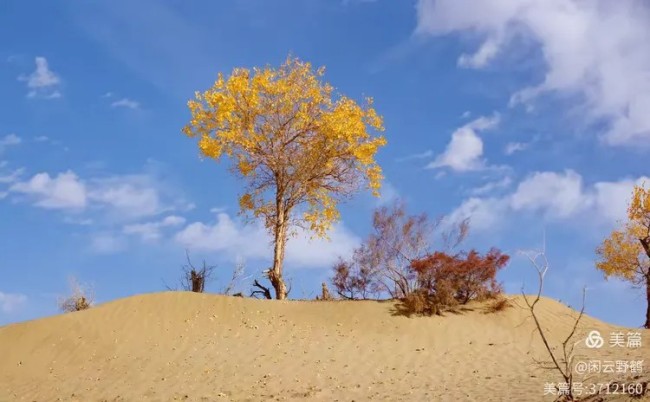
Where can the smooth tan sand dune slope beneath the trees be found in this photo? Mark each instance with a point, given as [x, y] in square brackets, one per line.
[184, 346]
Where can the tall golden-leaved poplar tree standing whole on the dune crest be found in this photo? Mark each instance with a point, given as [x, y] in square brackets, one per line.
[299, 147]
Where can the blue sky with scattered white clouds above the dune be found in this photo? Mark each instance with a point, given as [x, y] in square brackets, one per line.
[527, 116]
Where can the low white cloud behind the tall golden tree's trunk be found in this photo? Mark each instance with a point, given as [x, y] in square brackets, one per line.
[253, 242]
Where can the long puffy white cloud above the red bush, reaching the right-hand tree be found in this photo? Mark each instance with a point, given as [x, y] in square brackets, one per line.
[556, 196]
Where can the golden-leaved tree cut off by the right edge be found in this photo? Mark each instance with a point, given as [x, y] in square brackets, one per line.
[626, 252]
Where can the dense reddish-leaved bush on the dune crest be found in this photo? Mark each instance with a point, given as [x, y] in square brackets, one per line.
[458, 278]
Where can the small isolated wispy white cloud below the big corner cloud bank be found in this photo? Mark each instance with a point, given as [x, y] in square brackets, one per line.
[464, 151]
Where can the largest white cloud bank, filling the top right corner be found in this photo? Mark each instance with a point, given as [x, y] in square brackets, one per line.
[594, 49]
